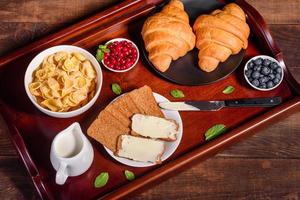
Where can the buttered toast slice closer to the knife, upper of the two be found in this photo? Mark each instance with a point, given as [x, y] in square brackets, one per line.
[154, 127]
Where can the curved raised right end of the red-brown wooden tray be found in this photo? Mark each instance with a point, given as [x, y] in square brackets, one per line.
[258, 25]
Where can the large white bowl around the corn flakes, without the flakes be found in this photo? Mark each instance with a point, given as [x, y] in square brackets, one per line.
[38, 59]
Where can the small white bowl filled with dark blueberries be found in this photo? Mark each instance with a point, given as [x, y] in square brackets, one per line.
[263, 73]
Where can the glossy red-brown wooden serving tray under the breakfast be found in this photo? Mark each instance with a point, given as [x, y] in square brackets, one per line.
[32, 132]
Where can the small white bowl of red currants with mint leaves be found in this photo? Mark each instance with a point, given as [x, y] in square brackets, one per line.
[118, 55]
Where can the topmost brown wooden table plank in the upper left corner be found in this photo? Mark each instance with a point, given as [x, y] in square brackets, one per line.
[57, 11]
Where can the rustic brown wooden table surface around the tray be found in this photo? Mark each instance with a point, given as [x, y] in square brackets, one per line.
[266, 166]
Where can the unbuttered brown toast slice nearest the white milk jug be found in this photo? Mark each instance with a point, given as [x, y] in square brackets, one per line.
[106, 130]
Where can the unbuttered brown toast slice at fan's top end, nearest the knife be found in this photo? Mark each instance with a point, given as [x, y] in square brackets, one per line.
[145, 101]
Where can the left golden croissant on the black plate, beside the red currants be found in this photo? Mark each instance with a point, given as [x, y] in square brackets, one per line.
[167, 35]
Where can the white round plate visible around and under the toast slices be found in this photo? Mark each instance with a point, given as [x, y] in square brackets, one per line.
[170, 146]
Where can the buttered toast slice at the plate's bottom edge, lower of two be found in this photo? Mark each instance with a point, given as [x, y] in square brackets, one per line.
[140, 149]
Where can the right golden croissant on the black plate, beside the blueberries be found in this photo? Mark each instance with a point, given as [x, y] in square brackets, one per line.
[219, 35]
